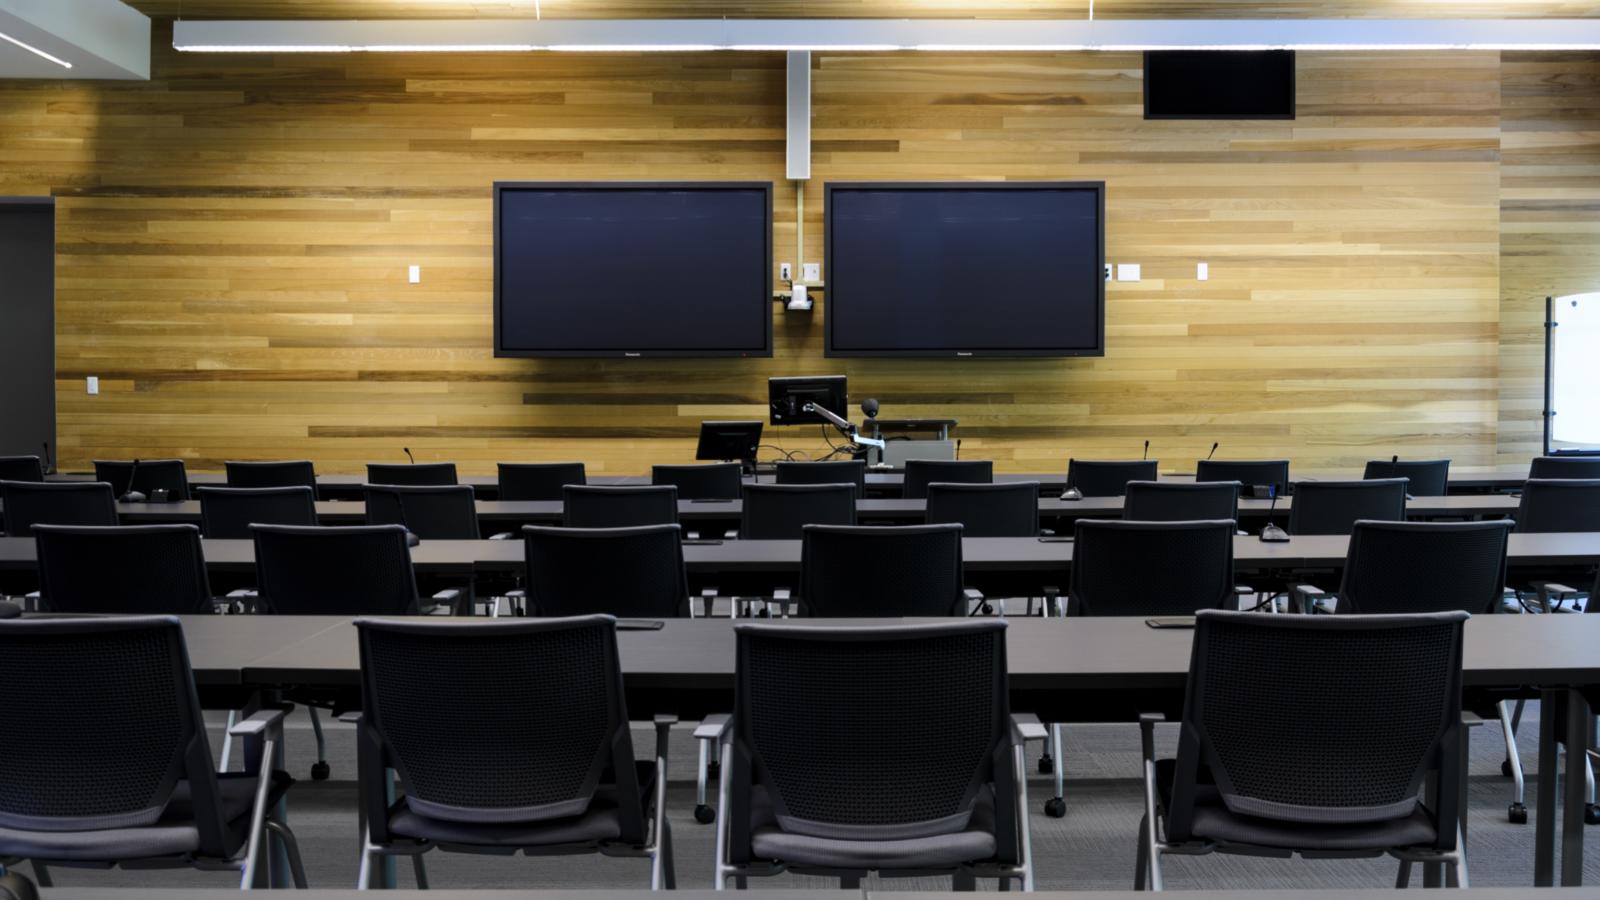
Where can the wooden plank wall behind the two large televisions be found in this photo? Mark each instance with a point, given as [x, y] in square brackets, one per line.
[234, 238]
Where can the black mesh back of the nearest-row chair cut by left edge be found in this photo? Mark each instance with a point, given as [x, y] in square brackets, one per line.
[113, 729]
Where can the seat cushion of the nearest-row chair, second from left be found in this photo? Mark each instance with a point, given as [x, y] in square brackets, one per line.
[599, 824]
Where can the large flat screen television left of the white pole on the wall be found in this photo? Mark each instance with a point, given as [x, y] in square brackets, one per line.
[633, 270]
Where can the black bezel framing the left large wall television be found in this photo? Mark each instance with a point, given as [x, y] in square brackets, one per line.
[622, 353]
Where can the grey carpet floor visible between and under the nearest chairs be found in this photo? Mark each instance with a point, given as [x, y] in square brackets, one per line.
[1094, 848]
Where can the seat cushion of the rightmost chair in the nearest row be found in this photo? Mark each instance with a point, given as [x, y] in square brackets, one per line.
[1214, 822]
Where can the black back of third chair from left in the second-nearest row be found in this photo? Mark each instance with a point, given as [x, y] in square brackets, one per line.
[626, 573]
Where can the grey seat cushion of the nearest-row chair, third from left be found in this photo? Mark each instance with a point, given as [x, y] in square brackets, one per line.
[940, 851]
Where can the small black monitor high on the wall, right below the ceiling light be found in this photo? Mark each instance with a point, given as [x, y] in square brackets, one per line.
[1220, 84]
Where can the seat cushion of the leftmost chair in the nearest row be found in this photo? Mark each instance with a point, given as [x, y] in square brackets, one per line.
[172, 835]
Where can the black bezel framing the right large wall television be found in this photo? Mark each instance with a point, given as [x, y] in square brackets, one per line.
[966, 353]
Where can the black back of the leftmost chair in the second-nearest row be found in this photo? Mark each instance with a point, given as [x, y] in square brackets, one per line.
[122, 569]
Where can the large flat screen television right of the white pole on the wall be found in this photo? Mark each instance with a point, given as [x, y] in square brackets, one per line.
[966, 270]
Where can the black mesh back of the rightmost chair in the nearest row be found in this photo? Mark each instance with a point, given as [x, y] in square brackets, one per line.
[1385, 712]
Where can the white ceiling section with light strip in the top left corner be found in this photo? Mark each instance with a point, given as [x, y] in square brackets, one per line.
[100, 39]
